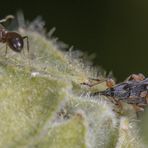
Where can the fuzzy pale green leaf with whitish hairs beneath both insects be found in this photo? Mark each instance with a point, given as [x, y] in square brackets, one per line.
[41, 103]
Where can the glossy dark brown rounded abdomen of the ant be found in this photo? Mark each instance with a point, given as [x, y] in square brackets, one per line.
[15, 41]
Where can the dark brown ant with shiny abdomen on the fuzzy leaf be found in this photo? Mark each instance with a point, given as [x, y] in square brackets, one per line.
[12, 39]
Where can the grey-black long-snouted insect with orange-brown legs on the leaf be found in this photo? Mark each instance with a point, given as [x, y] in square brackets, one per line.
[134, 91]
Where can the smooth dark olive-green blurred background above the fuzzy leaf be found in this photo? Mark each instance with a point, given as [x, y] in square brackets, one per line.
[116, 31]
